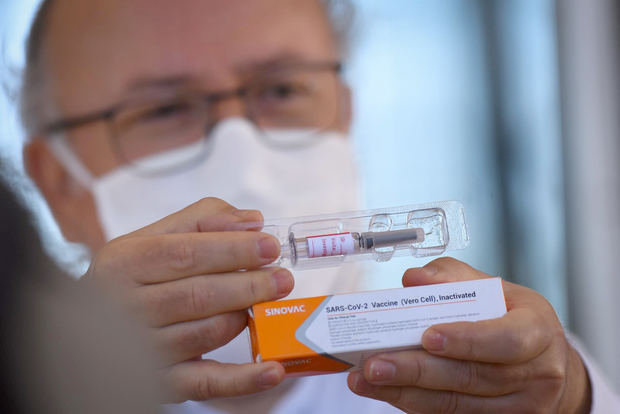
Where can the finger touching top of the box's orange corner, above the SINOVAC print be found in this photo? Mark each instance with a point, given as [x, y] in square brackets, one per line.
[202, 296]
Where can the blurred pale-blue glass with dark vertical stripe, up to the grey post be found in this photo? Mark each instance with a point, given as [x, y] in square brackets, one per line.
[459, 99]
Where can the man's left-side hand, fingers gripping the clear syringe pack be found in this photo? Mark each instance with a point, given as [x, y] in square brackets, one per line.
[191, 276]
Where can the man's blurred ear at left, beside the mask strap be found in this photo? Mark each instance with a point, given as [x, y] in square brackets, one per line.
[72, 205]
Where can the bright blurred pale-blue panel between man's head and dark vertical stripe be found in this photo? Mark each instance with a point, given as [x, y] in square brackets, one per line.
[423, 121]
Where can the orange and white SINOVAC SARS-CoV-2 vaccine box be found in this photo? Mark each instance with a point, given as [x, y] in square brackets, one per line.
[328, 334]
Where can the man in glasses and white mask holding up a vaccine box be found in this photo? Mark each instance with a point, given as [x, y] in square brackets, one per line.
[119, 96]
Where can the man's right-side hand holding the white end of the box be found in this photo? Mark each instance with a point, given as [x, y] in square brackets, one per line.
[519, 363]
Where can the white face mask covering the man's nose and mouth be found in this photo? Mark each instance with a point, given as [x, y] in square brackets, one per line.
[246, 173]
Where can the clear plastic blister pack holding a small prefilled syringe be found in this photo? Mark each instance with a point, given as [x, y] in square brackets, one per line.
[329, 240]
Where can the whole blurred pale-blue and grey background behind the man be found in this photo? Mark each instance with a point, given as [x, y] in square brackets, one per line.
[510, 106]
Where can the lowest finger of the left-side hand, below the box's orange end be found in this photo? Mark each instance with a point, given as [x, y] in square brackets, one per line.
[203, 380]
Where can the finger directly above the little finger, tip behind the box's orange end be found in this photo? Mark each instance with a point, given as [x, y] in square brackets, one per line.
[187, 340]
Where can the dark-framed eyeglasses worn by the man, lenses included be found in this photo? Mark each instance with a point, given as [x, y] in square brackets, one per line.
[301, 100]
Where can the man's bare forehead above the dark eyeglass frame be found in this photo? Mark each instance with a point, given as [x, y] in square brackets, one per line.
[116, 42]
